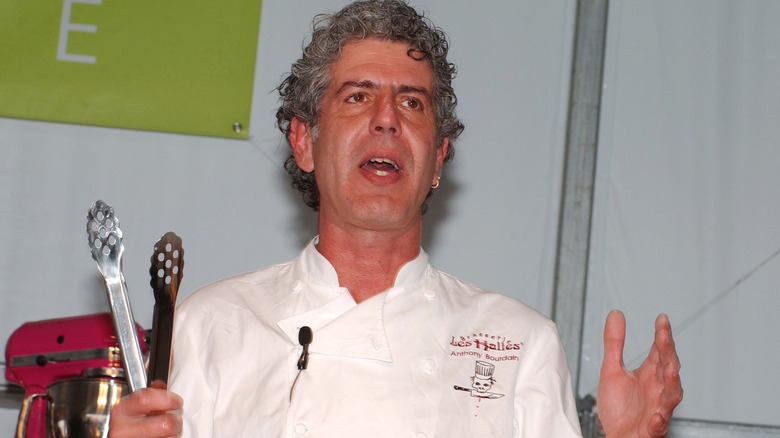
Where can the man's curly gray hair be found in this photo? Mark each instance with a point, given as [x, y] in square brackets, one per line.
[393, 20]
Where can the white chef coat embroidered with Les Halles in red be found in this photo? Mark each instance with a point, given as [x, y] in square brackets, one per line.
[404, 363]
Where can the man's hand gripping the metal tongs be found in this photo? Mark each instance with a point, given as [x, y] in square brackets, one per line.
[149, 412]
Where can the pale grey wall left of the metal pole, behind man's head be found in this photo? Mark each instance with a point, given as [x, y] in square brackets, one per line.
[492, 221]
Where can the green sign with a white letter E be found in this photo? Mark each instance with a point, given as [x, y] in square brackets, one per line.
[168, 65]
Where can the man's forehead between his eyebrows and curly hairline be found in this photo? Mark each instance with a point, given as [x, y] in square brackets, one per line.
[386, 62]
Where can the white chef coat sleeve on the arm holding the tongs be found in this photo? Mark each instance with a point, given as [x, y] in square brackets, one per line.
[189, 371]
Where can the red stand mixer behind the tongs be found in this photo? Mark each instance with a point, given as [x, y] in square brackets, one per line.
[65, 354]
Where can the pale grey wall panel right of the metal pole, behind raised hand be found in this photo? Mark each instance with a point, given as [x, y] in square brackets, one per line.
[688, 198]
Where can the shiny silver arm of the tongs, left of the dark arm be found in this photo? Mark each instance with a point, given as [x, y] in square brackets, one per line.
[105, 241]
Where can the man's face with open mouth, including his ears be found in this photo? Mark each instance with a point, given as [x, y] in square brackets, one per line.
[375, 154]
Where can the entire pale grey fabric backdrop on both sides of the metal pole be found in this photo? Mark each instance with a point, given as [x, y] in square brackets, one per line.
[686, 207]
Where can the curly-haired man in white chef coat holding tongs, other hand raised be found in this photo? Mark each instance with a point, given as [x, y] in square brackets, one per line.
[398, 347]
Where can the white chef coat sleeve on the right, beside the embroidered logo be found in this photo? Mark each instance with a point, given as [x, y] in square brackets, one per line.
[544, 400]
